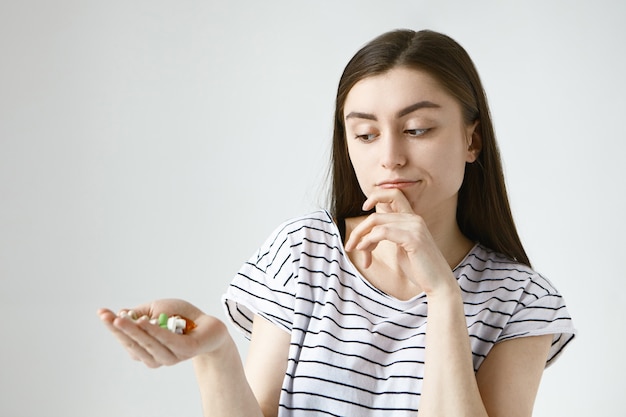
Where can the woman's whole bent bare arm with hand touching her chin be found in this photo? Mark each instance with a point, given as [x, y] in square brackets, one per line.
[450, 386]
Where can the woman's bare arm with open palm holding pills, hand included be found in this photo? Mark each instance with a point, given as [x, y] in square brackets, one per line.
[224, 387]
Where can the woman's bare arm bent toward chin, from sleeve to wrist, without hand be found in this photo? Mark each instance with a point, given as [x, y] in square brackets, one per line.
[506, 383]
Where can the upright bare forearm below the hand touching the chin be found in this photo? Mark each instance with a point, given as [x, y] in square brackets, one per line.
[450, 387]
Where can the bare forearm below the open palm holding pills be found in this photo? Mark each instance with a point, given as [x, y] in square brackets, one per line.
[224, 388]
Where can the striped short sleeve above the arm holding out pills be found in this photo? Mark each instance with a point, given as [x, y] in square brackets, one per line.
[264, 286]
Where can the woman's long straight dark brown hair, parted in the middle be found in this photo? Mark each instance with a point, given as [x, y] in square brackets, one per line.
[483, 211]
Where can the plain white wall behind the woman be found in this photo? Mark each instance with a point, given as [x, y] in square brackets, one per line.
[148, 147]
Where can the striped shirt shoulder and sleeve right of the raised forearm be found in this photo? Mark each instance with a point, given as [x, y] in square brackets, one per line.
[505, 299]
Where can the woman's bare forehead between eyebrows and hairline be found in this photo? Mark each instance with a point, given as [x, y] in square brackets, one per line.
[396, 89]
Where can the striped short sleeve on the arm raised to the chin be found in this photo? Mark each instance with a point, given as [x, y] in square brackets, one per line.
[540, 311]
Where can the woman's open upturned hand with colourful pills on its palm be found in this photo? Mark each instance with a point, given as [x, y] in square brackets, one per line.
[155, 346]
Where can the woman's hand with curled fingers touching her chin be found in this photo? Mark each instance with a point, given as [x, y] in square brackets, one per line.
[395, 221]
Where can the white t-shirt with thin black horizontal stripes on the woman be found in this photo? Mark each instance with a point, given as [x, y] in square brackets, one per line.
[354, 349]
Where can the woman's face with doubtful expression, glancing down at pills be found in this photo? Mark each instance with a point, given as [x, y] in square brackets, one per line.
[404, 131]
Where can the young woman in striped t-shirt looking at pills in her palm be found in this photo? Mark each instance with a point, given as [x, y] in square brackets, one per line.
[413, 293]
